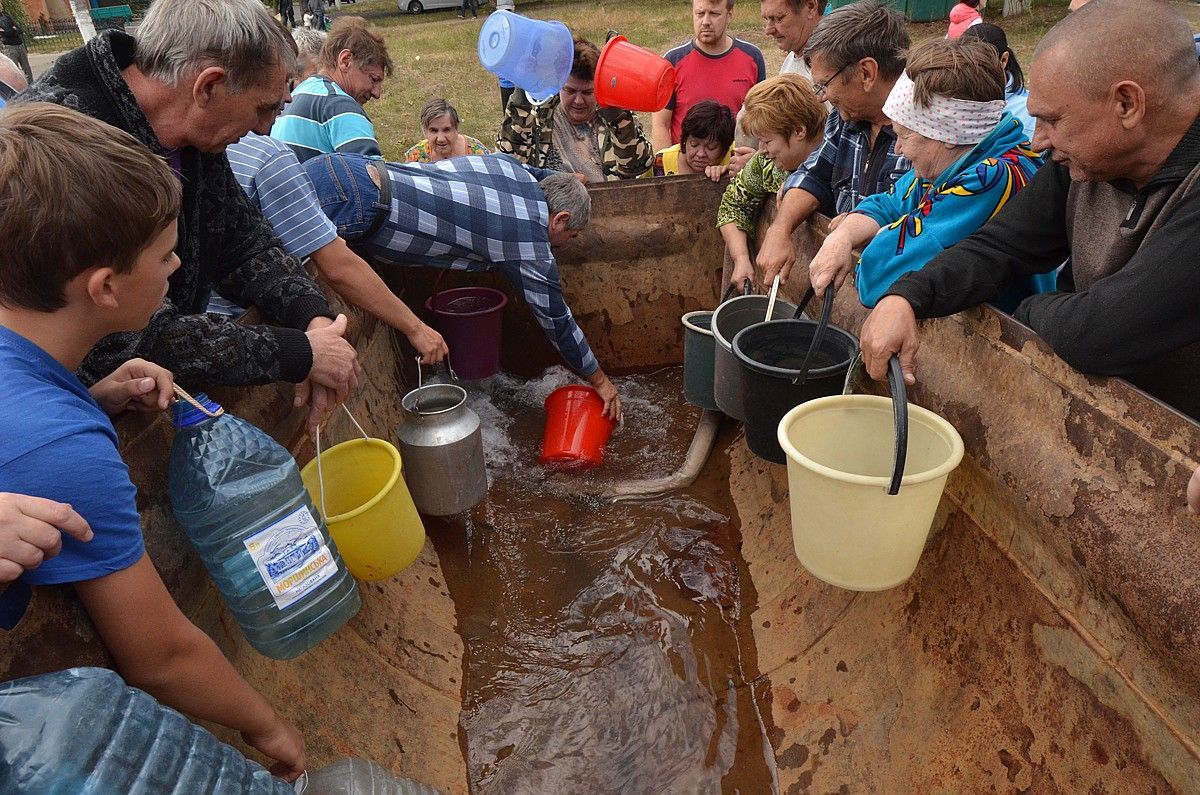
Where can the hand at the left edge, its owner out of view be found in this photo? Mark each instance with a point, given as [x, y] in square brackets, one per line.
[32, 531]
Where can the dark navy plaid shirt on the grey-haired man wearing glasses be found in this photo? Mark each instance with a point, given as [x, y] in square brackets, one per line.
[843, 171]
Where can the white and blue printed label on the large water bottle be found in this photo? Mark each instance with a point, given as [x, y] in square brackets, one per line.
[292, 558]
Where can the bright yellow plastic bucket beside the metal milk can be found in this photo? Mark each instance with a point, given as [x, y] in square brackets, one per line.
[367, 507]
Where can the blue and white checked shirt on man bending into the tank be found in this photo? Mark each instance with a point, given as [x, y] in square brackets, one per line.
[478, 213]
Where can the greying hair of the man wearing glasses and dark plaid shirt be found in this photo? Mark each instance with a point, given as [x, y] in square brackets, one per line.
[865, 29]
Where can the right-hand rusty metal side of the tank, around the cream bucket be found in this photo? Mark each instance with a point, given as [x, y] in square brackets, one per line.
[1049, 641]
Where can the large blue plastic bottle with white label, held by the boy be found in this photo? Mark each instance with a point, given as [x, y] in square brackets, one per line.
[239, 497]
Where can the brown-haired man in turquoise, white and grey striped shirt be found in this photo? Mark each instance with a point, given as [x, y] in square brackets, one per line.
[326, 115]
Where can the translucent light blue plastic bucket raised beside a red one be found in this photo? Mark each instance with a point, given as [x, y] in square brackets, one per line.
[532, 53]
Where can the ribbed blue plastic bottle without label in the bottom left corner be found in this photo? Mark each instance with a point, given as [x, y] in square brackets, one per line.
[83, 731]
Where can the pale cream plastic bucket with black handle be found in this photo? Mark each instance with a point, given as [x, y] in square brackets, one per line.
[842, 457]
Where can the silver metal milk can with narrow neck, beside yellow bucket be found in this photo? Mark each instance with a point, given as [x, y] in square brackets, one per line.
[442, 447]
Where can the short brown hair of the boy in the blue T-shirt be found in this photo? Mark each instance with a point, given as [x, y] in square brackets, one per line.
[75, 194]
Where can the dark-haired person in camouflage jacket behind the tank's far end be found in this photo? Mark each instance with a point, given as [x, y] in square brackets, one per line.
[571, 133]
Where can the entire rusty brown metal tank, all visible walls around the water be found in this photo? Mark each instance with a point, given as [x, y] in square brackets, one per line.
[1049, 642]
